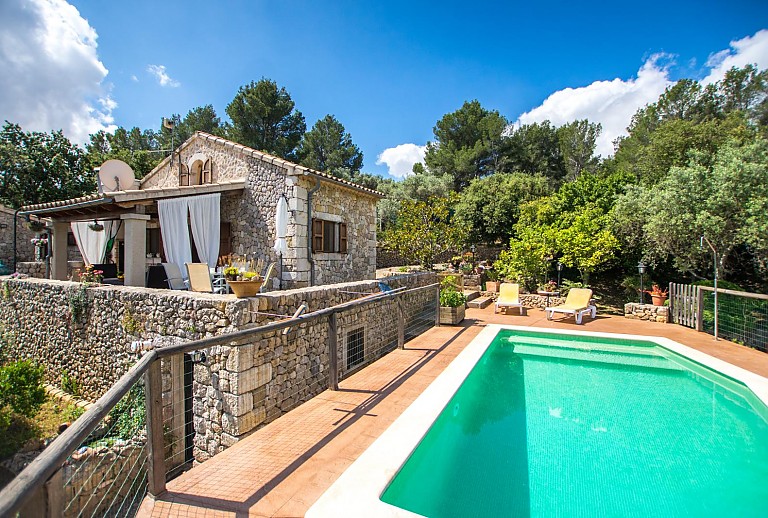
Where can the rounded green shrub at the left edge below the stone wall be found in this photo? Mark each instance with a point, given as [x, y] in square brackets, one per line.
[21, 390]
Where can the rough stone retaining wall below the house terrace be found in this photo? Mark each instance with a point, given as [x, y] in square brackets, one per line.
[87, 332]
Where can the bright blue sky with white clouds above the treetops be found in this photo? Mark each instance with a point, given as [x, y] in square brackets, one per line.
[387, 70]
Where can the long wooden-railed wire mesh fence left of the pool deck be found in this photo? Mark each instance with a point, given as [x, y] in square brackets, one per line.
[209, 393]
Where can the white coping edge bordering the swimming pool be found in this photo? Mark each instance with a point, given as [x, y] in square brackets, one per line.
[372, 471]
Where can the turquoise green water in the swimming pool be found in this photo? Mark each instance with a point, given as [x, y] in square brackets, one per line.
[553, 425]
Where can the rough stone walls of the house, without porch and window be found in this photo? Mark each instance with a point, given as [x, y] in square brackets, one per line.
[252, 214]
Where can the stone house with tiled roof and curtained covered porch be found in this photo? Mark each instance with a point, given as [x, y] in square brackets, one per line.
[331, 223]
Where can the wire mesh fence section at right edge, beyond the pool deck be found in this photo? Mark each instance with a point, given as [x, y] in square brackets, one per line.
[742, 317]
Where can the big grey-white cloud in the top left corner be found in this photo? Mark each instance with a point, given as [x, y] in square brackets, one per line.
[52, 76]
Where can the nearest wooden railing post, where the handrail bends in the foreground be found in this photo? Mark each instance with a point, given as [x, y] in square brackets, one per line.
[155, 442]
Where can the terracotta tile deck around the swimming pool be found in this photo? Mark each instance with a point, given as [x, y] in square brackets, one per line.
[282, 469]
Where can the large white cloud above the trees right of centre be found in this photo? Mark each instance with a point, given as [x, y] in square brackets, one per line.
[611, 103]
